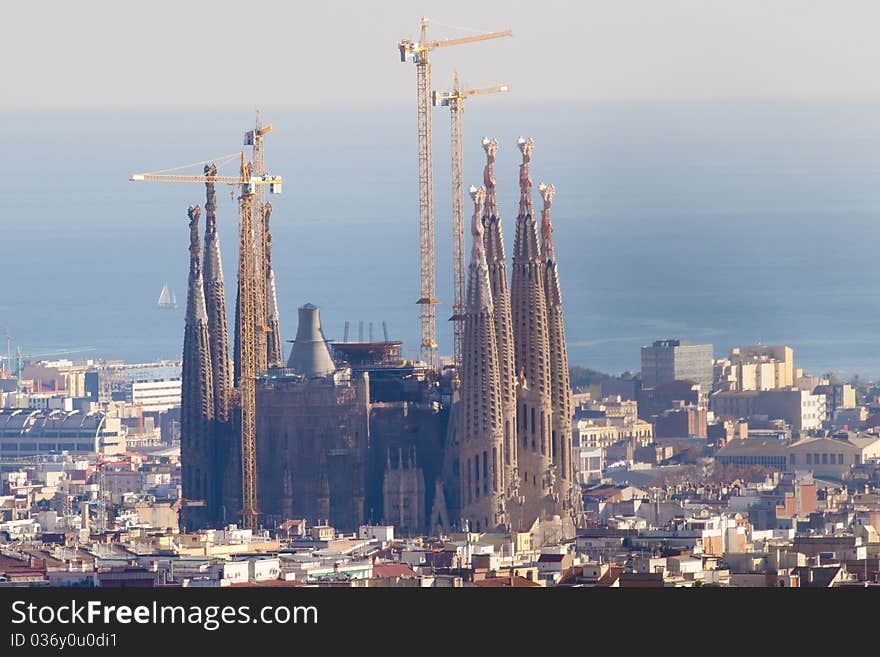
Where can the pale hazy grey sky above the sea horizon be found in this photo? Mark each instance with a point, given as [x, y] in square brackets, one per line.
[59, 53]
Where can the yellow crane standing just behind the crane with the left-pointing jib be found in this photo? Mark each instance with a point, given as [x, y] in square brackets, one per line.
[261, 210]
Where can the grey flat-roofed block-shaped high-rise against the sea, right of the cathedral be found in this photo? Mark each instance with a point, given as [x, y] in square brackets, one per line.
[677, 360]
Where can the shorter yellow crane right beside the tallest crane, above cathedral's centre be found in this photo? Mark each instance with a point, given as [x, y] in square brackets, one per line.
[454, 100]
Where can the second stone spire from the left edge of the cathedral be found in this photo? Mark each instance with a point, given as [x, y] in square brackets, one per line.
[215, 304]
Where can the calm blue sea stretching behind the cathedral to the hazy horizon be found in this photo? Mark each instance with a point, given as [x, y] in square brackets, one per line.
[723, 222]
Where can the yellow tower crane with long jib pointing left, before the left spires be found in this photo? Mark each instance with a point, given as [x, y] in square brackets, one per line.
[248, 182]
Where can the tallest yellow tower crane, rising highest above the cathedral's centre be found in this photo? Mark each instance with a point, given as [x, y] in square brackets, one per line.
[419, 53]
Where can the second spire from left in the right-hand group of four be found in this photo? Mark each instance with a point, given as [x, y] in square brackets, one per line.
[493, 239]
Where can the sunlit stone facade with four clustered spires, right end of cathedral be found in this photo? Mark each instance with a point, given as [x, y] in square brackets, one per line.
[511, 442]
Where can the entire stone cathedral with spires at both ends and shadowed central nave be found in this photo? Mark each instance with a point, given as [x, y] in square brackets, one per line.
[351, 432]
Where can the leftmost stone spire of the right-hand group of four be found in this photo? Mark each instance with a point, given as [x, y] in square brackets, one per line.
[482, 440]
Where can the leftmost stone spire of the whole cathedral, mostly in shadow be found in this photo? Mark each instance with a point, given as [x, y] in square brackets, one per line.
[197, 394]
